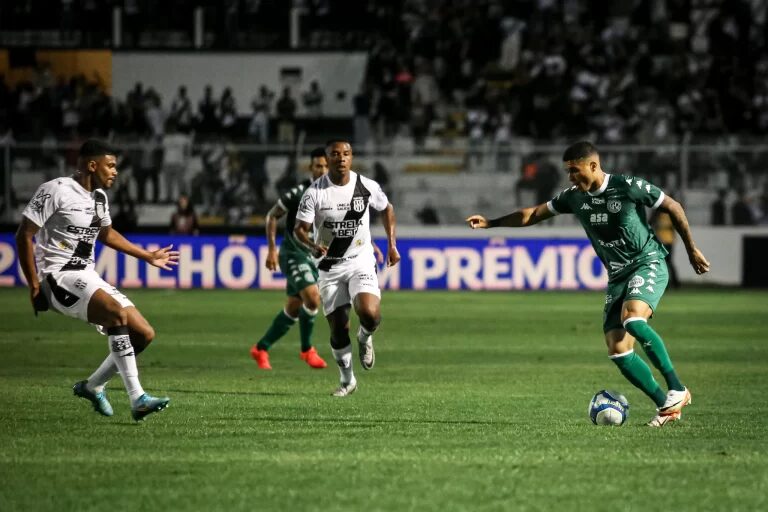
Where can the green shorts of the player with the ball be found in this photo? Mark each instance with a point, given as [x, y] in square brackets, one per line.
[646, 282]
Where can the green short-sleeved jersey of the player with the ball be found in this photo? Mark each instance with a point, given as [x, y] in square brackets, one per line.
[615, 221]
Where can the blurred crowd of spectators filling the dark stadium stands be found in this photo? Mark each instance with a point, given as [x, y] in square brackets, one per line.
[485, 72]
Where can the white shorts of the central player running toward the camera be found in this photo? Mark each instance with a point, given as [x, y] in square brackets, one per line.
[340, 285]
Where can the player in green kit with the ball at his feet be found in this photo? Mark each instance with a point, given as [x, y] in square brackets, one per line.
[611, 209]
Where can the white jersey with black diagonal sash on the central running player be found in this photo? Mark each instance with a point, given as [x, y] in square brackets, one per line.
[341, 217]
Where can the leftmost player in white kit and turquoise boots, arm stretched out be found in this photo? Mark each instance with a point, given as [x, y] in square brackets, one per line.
[67, 216]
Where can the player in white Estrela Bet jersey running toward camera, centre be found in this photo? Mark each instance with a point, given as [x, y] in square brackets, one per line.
[338, 206]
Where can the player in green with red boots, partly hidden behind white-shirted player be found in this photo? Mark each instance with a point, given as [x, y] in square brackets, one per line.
[300, 272]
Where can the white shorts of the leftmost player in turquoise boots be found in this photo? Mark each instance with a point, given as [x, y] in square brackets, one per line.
[69, 292]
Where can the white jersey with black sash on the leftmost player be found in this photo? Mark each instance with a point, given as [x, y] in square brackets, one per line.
[69, 218]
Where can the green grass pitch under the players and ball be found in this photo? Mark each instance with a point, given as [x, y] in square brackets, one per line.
[477, 402]
